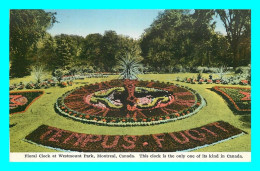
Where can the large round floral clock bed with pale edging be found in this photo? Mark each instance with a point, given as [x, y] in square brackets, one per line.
[129, 103]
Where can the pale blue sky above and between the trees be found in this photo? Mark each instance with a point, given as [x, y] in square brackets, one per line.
[126, 22]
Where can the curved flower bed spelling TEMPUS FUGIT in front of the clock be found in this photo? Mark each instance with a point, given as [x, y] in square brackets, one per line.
[186, 140]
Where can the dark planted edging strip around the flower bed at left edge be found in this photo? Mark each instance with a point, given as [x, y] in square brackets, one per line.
[32, 96]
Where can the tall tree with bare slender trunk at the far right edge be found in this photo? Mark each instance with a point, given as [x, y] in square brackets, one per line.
[238, 26]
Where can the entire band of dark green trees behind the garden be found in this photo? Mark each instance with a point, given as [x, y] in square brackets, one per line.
[177, 40]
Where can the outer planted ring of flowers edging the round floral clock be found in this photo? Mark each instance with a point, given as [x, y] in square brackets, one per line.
[64, 110]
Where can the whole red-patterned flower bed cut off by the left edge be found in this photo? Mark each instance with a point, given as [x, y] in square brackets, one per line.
[20, 101]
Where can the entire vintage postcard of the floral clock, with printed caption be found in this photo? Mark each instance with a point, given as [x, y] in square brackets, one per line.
[130, 85]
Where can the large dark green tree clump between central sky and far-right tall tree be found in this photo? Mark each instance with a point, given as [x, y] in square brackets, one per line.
[184, 37]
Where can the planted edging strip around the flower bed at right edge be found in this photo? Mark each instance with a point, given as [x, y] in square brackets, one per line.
[230, 100]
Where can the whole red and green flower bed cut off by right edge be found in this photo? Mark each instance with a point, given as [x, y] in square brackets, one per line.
[239, 98]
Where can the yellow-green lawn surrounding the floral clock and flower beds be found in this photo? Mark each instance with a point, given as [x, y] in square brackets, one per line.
[42, 112]
